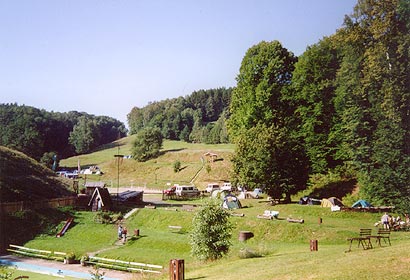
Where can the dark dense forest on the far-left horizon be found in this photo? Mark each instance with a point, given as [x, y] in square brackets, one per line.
[41, 134]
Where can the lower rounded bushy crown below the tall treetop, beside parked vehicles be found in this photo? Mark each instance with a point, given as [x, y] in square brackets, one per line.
[267, 157]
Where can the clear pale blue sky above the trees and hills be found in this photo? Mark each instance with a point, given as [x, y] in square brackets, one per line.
[106, 57]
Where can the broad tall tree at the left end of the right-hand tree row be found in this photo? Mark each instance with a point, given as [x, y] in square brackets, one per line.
[263, 125]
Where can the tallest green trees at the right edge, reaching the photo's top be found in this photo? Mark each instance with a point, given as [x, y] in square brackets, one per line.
[373, 98]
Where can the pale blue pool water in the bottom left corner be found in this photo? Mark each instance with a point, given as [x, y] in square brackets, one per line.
[48, 270]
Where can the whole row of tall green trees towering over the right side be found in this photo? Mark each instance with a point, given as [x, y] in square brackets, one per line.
[342, 107]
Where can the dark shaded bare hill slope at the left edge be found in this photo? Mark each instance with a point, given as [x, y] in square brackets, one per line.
[23, 178]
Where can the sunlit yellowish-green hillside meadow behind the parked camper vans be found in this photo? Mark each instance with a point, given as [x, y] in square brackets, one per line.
[158, 172]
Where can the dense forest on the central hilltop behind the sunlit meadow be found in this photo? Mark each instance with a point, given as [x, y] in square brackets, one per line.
[199, 118]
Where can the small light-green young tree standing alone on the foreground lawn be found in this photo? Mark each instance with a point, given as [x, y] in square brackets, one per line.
[212, 230]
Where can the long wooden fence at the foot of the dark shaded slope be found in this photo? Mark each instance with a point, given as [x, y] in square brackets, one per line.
[10, 207]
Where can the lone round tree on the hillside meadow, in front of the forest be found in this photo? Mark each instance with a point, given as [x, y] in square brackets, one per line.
[147, 144]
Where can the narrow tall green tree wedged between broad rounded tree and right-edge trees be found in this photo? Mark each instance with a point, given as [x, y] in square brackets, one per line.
[314, 85]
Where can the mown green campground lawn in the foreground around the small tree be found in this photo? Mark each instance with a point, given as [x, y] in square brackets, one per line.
[282, 248]
